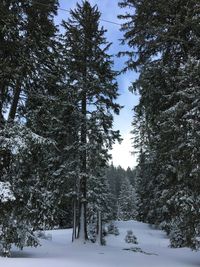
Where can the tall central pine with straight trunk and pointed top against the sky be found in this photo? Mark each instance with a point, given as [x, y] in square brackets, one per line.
[92, 79]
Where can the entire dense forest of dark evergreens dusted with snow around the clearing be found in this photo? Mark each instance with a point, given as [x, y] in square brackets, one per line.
[58, 97]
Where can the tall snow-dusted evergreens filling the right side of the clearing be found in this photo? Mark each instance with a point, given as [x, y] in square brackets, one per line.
[165, 39]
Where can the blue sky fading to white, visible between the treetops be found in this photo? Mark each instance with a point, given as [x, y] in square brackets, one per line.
[109, 10]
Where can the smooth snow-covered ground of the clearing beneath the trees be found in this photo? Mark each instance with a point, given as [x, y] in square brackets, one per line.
[152, 251]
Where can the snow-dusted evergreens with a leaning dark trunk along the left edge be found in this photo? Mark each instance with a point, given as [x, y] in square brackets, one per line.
[27, 39]
